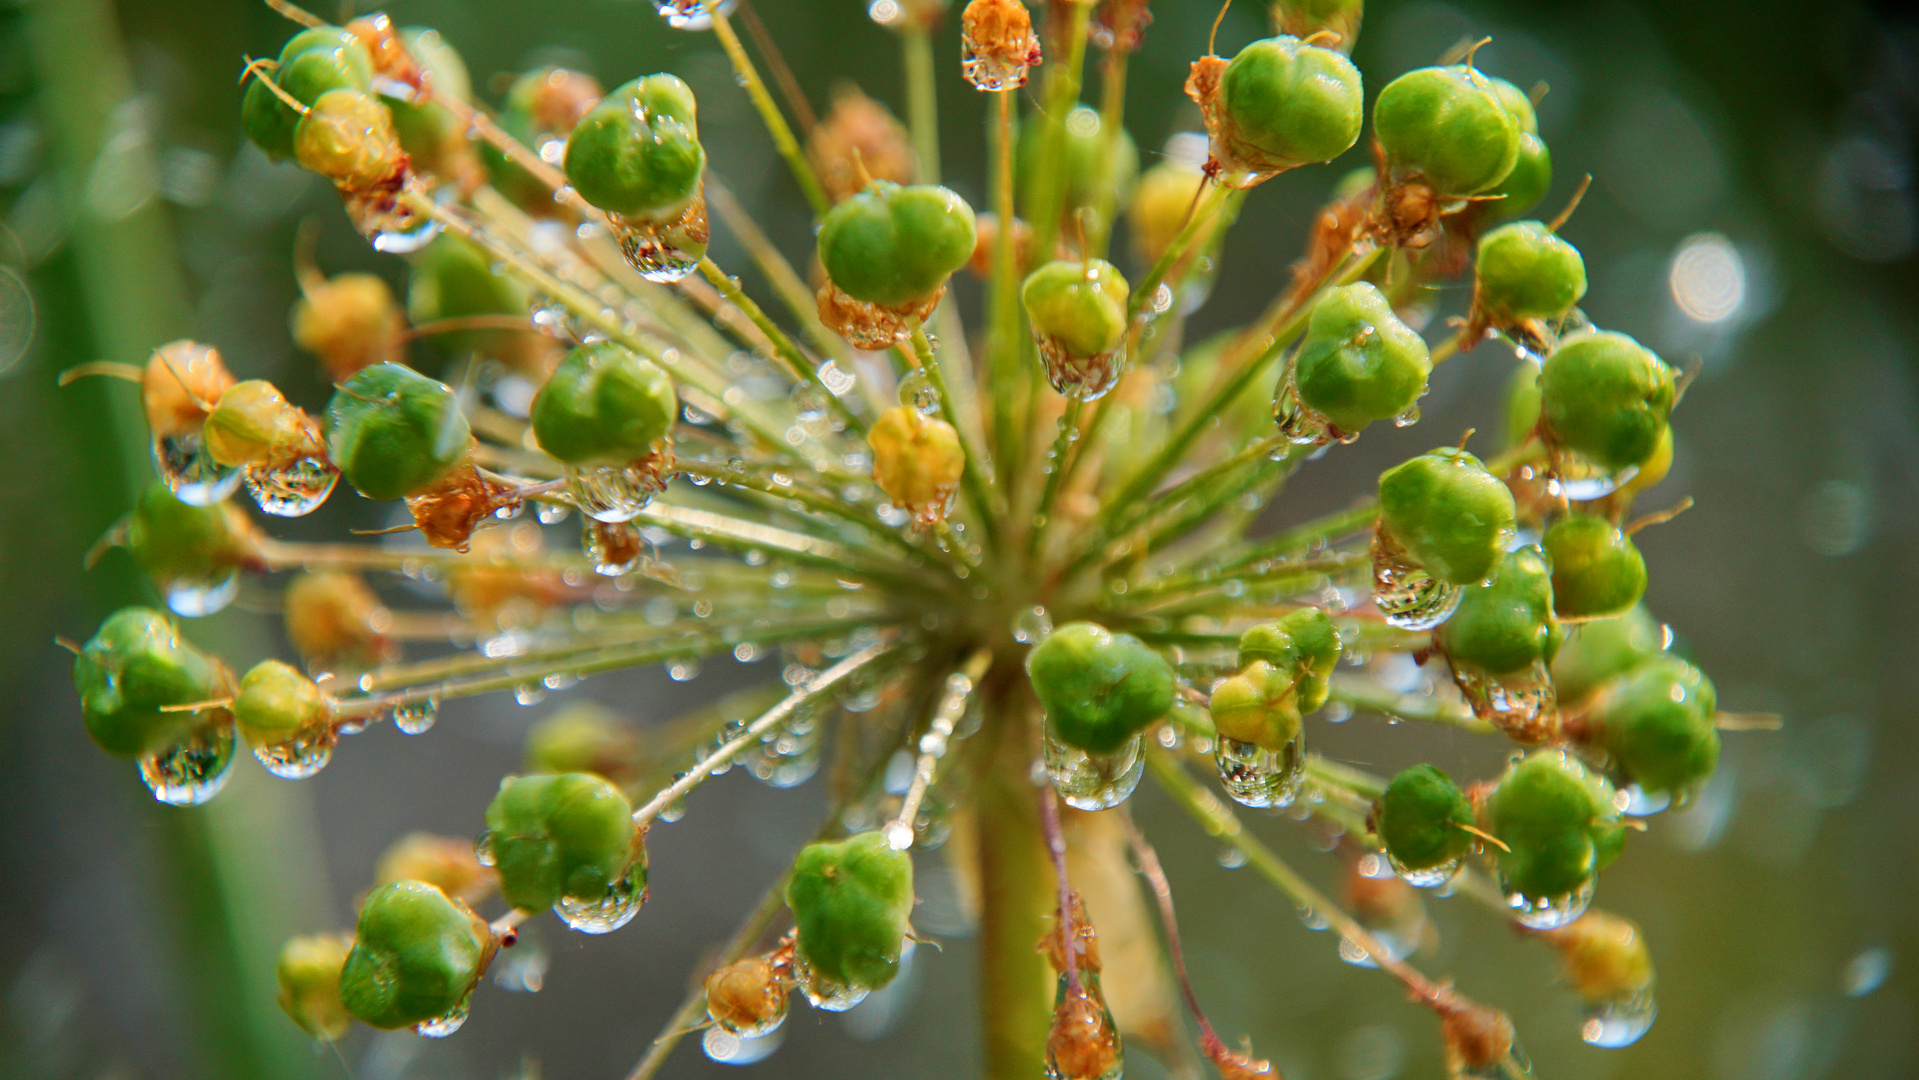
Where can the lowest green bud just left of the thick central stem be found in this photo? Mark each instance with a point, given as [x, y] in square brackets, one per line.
[851, 904]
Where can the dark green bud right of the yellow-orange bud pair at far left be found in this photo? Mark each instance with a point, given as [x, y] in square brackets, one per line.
[394, 433]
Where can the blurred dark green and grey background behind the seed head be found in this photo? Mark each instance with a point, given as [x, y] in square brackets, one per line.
[1755, 212]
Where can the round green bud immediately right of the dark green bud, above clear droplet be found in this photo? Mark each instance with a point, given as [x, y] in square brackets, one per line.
[604, 406]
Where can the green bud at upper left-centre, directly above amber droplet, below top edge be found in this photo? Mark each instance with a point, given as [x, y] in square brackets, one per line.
[638, 153]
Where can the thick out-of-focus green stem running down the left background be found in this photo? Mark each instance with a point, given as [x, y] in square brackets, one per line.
[243, 874]
